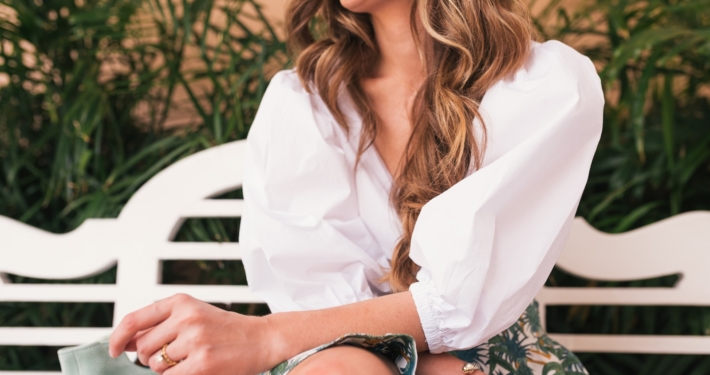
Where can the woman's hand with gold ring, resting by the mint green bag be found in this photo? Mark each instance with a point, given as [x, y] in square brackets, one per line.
[202, 338]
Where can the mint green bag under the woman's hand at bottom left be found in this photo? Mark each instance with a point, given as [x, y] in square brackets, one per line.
[93, 359]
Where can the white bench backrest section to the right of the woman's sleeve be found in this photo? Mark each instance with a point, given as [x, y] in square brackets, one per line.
[678, 245]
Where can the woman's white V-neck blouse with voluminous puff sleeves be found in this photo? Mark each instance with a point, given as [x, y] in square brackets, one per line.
[317, 232]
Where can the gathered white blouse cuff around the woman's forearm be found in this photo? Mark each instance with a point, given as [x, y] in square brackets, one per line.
[425, 296]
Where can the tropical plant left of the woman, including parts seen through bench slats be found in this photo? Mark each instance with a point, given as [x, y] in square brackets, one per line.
[87, 89]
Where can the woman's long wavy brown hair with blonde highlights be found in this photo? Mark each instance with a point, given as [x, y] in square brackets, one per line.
[468, 46]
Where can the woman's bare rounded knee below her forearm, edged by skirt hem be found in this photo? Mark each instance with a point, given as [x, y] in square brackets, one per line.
[345, 360]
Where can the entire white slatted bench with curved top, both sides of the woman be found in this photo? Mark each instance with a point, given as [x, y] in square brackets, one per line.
[141, 238]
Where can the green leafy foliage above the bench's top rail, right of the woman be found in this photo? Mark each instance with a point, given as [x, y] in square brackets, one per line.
[654, 157]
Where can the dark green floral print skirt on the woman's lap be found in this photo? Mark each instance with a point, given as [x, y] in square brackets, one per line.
[522, 349]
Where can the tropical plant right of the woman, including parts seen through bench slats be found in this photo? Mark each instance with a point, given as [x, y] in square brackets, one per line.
[654, 157]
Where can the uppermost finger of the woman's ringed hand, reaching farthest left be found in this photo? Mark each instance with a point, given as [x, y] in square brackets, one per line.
[141, 320]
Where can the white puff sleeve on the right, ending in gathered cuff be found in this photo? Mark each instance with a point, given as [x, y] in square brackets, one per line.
[487, 245]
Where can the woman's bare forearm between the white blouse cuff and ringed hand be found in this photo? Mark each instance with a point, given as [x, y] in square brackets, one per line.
[296, 332]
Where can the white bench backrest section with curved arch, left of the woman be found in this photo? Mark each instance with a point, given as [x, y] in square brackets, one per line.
[138, 241]
